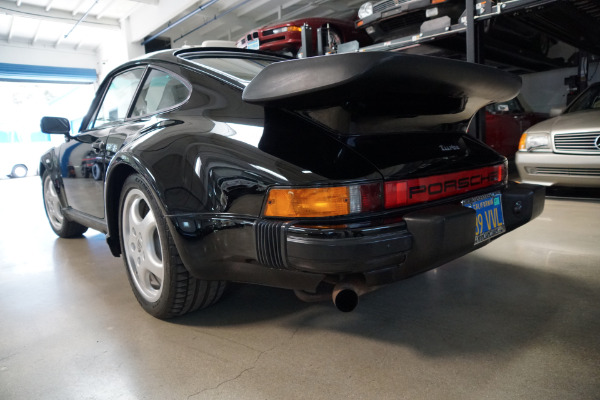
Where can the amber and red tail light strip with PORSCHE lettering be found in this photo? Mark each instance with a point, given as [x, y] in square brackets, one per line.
[355, 199]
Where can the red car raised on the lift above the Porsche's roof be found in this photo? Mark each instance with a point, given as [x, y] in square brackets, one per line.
[284, 37]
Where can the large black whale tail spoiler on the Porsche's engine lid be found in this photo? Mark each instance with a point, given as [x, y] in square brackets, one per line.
[419, 92]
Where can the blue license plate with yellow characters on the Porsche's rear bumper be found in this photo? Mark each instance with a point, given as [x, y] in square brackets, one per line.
[489, 221]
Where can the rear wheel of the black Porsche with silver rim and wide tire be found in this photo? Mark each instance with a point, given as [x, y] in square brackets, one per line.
[160, 281]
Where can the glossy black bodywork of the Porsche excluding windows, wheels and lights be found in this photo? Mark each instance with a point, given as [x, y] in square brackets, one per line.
[212, 160]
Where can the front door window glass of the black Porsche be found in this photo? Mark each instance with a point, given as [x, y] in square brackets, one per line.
[118, 98]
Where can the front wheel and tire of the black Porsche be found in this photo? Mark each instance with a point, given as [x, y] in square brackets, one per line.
[58, 222]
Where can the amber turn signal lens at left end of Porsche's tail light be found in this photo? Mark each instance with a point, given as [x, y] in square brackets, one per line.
[308, 202]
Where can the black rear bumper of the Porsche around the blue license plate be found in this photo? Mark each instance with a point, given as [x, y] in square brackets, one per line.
[423, 240]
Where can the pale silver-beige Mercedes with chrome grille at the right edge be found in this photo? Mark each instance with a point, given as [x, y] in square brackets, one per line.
[565, 150]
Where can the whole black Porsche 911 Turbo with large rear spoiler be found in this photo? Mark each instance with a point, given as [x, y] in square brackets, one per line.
[330, 175]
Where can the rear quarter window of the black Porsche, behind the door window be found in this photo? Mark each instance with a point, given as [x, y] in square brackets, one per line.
[159, 92]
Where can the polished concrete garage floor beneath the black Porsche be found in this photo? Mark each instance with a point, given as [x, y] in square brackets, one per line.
[519, 319]
